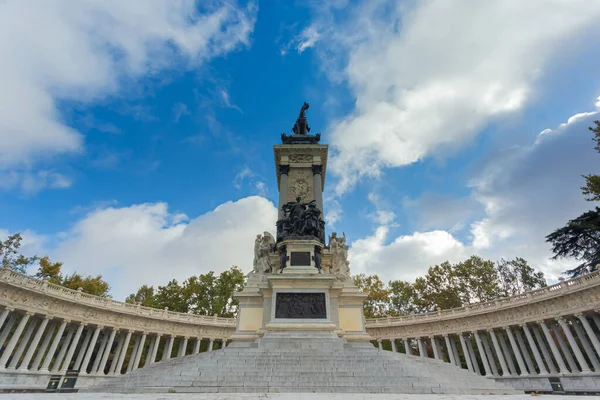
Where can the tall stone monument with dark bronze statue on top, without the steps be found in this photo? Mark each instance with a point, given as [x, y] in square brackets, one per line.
[299, 282]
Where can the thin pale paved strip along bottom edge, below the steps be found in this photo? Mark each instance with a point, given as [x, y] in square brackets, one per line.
[283, 396]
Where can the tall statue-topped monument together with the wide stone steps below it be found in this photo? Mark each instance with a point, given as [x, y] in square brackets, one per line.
[300, 324]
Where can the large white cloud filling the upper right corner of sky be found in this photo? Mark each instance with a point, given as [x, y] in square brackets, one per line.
[436, 81]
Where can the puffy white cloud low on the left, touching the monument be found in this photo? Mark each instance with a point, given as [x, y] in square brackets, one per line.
[147, 244]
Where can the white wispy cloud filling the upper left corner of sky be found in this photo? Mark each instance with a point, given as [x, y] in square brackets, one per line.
[81, 51]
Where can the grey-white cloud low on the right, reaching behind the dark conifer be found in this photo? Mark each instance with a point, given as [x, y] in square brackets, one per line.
[526, 192]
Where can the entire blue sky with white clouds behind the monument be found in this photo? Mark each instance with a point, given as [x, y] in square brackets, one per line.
[136, 140]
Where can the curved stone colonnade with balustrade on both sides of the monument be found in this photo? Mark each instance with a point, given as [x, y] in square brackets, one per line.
[47, 329]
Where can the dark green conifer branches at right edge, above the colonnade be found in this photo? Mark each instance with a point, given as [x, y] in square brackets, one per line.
[579, 239]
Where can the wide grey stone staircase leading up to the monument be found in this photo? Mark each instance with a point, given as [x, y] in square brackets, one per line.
[302, 365]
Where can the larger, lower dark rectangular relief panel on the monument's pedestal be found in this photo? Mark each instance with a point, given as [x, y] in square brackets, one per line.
[300, 305]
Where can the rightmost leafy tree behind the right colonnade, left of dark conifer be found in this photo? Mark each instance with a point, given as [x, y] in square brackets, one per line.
[516, 276]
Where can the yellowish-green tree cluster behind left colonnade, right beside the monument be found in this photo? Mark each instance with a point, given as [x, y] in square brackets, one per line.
[205, 294]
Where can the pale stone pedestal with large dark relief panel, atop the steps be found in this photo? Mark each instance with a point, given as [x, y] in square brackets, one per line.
[300, 301]
